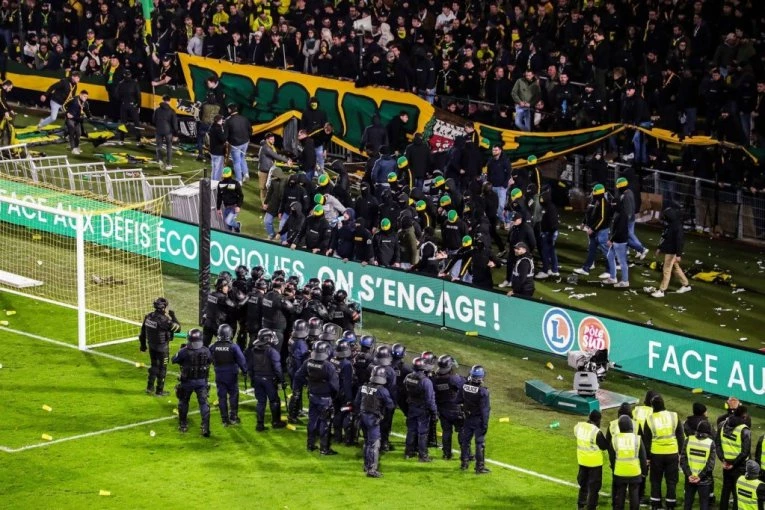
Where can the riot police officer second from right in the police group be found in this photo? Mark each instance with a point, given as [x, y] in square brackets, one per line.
[447, 384]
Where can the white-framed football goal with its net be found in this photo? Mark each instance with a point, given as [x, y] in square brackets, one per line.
[85, 270]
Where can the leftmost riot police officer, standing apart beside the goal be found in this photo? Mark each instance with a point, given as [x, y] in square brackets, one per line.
[157, 329]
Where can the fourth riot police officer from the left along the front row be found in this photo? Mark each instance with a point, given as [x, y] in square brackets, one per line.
[265, 369]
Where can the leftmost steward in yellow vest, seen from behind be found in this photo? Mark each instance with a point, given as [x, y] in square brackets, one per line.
[590, 443]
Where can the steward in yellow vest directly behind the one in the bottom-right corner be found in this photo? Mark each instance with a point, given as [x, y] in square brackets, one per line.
[734, 442]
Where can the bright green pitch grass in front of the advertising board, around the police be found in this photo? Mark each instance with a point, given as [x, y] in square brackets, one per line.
[90, 393]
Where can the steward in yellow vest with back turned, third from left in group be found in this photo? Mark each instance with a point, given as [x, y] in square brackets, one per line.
[663, 437]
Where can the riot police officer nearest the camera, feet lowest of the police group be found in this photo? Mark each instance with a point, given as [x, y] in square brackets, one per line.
[372, 401]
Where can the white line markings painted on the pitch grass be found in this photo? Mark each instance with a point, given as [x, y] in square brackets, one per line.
[166, 418]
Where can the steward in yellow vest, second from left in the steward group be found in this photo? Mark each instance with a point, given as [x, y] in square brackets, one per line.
[629, 464]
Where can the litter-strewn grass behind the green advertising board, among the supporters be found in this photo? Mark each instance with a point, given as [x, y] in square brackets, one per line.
[702, 312]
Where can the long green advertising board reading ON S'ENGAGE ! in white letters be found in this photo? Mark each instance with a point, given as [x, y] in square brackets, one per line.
[642, 351]
